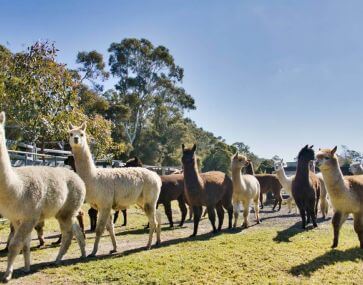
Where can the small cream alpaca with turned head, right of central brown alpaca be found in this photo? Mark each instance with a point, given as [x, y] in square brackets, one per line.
[245, 189]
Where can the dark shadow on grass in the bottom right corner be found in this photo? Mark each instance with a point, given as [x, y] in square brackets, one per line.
[329, 258]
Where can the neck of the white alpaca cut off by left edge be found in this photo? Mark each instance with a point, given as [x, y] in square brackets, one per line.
[8, 177]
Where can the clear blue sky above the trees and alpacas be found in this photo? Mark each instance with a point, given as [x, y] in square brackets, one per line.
[276, 75]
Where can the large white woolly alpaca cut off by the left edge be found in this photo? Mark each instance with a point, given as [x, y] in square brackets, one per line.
[29, 195]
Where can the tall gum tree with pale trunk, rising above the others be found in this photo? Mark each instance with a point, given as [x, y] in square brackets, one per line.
[148, 77]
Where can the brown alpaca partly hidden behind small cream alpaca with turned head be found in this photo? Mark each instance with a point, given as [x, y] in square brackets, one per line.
[268, 182]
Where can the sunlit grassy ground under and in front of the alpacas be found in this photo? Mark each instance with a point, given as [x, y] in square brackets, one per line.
[274, 252]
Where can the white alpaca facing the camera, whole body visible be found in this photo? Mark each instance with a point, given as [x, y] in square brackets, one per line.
[115, 188]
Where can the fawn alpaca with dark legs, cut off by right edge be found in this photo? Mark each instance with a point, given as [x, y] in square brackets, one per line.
[345, 192]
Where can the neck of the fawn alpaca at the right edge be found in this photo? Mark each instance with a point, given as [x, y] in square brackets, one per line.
[334, 180]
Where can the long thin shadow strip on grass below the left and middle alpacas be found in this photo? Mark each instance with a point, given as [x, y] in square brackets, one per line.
[18, 273]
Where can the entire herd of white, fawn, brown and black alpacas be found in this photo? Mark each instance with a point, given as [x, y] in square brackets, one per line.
[30, 195]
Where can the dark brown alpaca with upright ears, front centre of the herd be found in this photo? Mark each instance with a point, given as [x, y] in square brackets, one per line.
[213, 189]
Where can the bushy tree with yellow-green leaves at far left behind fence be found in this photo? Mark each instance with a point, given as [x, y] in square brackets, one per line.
[38, 93]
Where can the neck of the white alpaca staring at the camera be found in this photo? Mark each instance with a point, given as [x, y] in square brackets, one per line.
[85, 165]
